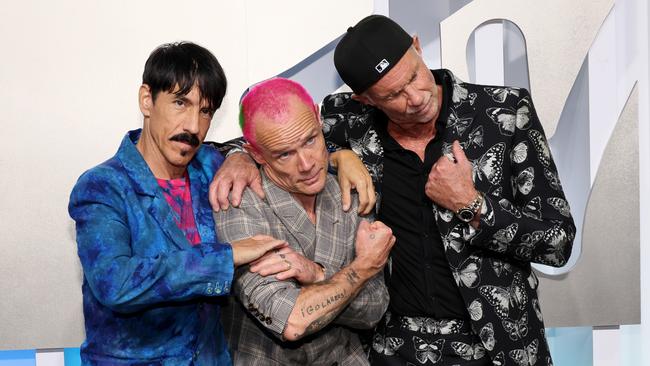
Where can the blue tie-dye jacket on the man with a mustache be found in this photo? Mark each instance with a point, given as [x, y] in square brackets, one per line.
[150, 298]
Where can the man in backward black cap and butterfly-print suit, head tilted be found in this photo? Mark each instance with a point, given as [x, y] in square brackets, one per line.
[467, 184]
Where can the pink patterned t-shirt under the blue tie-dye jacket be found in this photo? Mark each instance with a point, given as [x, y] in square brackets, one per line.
[179, 196]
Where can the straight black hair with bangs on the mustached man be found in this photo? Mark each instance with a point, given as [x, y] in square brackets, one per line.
[183, 65]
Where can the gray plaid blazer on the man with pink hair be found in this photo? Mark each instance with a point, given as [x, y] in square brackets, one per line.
[257, 315]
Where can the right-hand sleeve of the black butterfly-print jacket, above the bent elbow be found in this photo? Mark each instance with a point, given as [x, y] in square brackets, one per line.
[536, 226]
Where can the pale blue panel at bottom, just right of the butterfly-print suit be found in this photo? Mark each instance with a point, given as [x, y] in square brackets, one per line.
[571, 346]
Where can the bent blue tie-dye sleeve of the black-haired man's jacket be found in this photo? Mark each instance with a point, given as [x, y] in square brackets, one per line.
[127, 282]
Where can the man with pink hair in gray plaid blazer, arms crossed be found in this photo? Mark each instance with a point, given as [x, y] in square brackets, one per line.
[299, 305]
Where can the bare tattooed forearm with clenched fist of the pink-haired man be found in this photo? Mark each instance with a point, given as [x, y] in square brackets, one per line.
[318, 304]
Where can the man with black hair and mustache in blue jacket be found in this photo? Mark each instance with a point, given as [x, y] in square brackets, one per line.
[153, 265]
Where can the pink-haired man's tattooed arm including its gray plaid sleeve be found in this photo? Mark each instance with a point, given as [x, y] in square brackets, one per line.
[276, 304]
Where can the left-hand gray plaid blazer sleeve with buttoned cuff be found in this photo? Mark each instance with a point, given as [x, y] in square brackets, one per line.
[267, 299]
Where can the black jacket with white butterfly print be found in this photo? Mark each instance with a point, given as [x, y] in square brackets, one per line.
[525, 216]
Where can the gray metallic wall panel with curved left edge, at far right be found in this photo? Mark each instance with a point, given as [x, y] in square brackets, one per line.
[604, 287]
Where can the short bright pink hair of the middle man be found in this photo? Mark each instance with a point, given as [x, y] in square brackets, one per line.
[271, 98]
